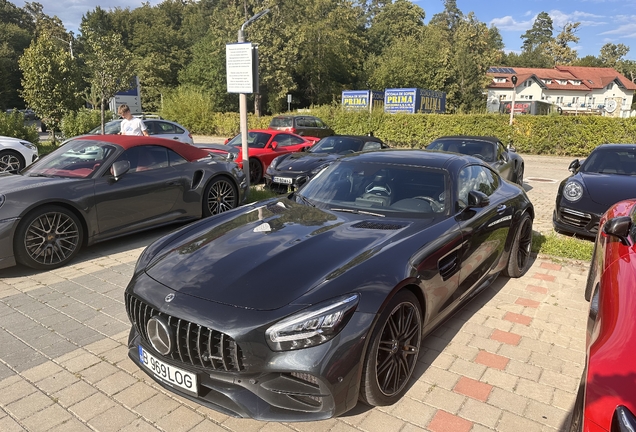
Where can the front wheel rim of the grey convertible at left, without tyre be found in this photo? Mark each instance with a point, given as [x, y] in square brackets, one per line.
[51, 238]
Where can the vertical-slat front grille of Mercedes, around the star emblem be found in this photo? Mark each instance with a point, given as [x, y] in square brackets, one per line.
[195, 345]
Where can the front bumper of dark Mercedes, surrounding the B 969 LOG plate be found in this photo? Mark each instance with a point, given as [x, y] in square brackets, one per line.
[249, 379]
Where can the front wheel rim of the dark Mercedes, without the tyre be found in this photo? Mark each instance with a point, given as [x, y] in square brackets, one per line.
[398, 349]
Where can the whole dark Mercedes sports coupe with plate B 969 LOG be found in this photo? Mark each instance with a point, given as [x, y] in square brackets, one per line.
[294, 308]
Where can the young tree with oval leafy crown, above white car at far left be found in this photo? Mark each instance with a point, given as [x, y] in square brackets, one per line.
[51, 80]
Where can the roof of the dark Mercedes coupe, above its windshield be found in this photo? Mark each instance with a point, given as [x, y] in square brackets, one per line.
[421, 157]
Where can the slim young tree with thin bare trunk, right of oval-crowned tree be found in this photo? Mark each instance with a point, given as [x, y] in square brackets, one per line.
[109, 65]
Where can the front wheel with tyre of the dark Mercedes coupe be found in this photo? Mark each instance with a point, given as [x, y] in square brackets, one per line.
[392, 354]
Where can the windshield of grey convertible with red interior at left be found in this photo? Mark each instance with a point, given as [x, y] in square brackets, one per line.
[76, 159]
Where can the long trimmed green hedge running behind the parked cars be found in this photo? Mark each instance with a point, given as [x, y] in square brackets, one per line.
[555, 135]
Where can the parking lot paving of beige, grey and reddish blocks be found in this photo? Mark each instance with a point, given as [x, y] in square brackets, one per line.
[511, 360]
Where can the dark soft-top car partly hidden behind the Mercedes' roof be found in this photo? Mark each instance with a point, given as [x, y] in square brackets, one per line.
[503, 159]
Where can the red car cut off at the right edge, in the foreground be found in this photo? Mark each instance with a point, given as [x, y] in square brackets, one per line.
[607, 394]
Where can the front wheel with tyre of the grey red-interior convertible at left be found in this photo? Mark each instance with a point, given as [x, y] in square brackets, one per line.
[48, 238]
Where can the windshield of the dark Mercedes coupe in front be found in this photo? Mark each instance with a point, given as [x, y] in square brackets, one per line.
[379, 188]
